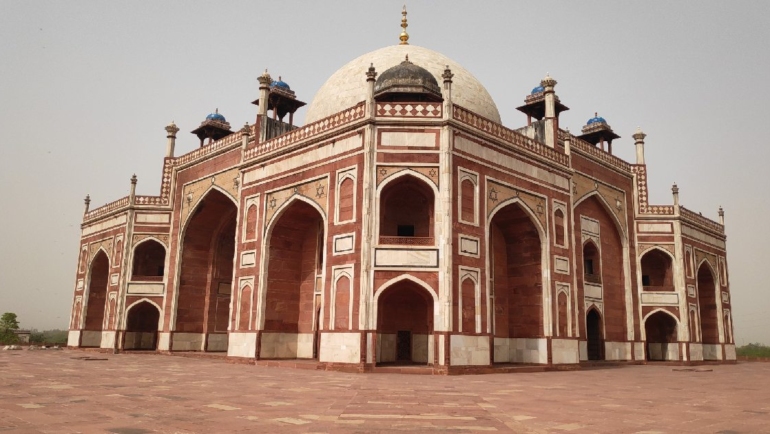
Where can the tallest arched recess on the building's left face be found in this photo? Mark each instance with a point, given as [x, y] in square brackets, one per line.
[205, 277]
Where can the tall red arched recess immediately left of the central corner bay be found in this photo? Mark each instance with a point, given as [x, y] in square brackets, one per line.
[293, 283]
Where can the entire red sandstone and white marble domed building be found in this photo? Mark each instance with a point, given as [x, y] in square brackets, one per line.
[402, 225]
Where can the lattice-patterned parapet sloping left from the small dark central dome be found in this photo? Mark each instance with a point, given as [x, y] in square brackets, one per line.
[323, 125]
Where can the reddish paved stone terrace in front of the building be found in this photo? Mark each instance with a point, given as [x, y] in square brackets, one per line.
[61, 392]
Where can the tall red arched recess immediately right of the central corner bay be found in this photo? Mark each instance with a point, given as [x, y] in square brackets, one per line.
[516, 283]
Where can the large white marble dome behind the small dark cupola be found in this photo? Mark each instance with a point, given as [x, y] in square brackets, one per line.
[347, 87]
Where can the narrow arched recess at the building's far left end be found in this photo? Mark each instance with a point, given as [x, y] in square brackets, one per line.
[97, 297]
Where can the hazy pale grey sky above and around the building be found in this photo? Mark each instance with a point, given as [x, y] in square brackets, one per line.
[87, 87]
